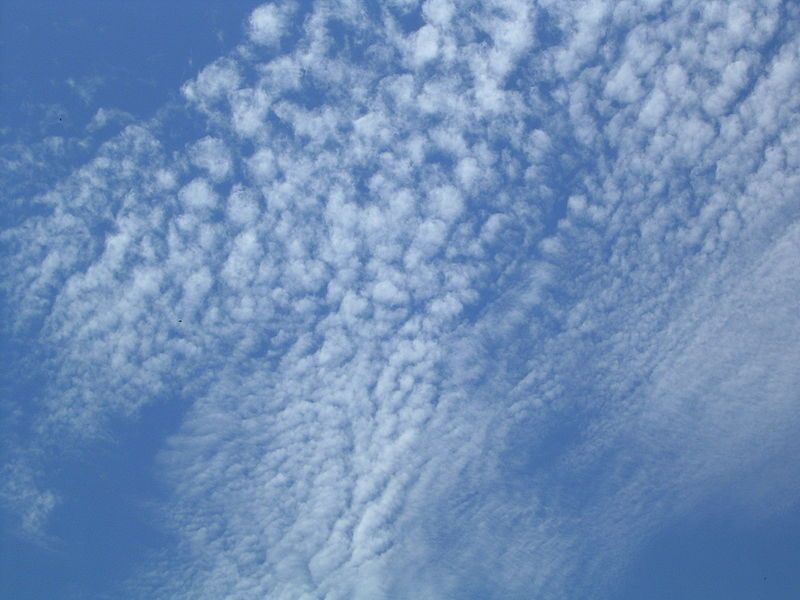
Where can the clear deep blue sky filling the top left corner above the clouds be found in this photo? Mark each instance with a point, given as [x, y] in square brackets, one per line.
[67, 59]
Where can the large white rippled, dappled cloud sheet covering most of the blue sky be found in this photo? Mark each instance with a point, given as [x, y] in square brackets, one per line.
[414, 276]
